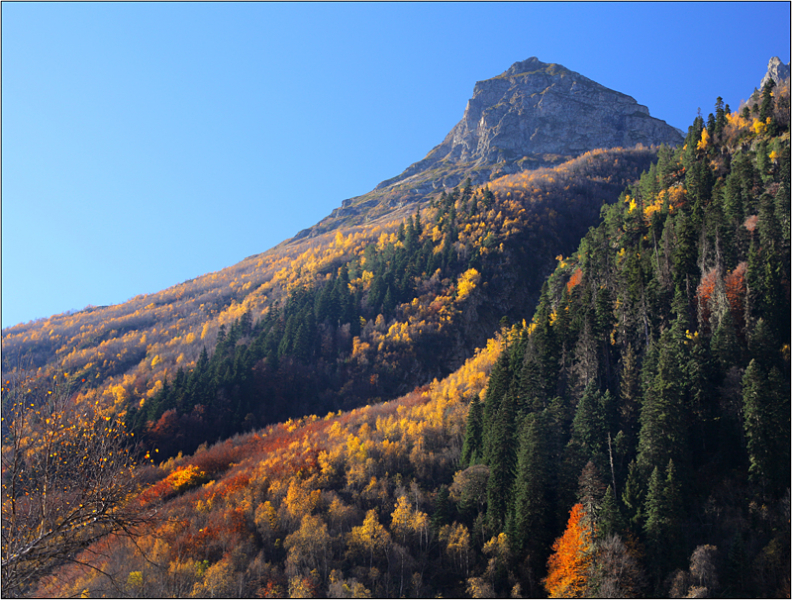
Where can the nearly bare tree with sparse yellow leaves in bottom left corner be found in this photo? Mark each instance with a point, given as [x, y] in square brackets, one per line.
[67, 481]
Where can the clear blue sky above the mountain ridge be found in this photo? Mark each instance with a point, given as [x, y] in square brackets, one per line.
[146, 144]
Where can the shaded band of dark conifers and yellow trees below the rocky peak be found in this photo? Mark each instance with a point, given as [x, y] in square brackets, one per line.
[402, 311]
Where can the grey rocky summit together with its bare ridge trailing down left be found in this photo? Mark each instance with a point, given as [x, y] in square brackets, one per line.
[533, 115]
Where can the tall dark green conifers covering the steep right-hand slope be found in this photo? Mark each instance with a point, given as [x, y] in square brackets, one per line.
[664, 341]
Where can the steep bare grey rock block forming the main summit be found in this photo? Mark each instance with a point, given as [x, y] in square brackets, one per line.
[534, 109]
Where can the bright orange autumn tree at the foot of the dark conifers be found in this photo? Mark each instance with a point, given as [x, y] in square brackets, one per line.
[568, 566]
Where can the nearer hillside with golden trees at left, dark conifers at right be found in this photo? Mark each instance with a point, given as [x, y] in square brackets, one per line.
[640, 419]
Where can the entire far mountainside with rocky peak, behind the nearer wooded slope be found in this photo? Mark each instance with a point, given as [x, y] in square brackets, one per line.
[332, 320]
